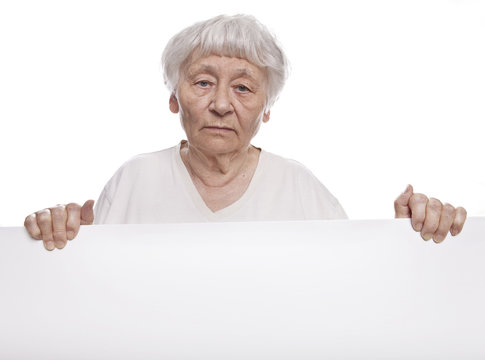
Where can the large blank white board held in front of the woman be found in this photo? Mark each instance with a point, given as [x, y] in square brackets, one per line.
[267, 290]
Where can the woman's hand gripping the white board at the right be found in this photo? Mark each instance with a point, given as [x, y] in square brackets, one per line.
[429, 216]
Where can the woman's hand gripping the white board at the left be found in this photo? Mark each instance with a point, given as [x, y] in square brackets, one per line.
[55, 225]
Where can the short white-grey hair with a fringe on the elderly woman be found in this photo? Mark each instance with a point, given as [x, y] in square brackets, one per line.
[240, 36]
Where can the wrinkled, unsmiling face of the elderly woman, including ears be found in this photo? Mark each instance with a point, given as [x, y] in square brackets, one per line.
[221, 101]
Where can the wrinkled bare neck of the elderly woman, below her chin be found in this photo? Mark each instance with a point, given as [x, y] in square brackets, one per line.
[218, 170]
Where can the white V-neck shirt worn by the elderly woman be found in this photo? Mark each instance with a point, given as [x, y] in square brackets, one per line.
[157, 188]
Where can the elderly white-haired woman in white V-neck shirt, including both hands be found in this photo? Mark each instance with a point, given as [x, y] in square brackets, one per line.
[224, 75]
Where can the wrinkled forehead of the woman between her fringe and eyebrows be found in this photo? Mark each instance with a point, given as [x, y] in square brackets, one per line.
[219, 65]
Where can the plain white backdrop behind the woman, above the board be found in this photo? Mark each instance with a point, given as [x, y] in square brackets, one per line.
[381, 94]
